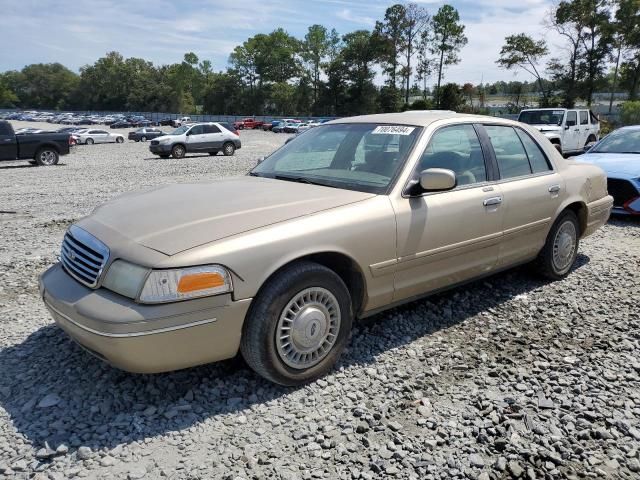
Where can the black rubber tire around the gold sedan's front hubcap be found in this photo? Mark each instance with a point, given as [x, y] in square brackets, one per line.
[259, 332]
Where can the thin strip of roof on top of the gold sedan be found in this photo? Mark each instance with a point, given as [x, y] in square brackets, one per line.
[422, 118]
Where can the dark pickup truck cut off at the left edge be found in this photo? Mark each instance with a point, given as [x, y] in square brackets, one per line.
[38, 148]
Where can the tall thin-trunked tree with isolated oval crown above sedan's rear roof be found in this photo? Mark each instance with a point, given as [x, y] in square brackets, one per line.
[445, 39]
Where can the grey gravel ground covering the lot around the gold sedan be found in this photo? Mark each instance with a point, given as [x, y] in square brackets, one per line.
[510, 377]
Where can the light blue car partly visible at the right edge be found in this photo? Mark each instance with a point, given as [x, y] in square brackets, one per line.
[618, 154]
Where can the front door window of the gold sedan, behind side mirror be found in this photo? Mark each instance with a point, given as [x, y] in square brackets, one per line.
[456, 148]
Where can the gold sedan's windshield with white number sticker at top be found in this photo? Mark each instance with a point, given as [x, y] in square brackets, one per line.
[356, 156]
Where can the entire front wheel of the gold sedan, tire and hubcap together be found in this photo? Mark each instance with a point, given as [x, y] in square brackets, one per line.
[298, 325]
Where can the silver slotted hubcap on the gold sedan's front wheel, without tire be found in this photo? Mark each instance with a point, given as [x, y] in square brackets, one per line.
[308, 328]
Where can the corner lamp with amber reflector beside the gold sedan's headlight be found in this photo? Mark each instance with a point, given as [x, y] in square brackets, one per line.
[185, 283]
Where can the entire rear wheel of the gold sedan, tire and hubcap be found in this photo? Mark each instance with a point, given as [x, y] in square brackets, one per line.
[557, 267]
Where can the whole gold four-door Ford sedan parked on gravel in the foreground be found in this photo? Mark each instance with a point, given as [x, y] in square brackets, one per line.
[350, 218]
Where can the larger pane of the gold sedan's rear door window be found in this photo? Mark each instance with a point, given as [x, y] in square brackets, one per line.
[512, 159]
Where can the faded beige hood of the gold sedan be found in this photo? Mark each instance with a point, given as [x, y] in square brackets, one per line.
[175, 218]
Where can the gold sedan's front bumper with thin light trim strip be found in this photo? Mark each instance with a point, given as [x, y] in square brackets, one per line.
[144, 338]
